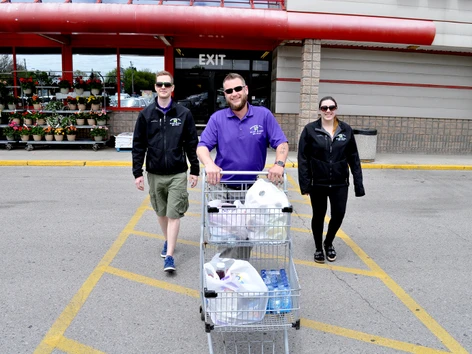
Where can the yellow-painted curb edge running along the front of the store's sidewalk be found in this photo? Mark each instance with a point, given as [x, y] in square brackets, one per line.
[288, 164]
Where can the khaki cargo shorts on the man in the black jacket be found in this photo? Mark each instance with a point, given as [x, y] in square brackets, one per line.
[169, 196]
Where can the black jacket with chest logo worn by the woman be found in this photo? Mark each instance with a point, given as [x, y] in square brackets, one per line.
[323, 161]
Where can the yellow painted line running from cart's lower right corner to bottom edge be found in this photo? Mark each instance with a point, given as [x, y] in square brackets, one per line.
[369, 338]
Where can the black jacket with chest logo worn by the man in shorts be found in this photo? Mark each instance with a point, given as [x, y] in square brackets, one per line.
[166, 140]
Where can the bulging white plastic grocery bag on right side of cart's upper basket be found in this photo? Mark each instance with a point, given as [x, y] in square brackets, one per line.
[269, 222]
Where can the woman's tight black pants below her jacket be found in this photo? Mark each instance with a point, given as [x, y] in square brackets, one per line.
[319, 203]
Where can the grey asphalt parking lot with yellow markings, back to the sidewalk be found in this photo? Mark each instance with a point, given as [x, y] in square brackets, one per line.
[81, 271]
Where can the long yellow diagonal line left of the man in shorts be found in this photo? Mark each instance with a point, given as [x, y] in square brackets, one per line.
[57, 330]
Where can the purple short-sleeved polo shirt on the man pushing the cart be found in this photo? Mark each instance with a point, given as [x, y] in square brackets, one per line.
[241, 145]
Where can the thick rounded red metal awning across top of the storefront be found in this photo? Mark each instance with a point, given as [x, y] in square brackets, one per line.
[52, 18]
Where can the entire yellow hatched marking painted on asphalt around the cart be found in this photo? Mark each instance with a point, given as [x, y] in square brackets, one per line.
[55, 336]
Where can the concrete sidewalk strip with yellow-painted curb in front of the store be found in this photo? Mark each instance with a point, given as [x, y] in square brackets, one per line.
[110, 157]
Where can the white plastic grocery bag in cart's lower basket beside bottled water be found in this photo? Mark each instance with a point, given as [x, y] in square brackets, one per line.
[241, 294]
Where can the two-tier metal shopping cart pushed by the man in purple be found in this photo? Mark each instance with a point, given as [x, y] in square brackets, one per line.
[247, 321]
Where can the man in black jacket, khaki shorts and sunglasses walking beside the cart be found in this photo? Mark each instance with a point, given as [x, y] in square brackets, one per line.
[166, 136]
